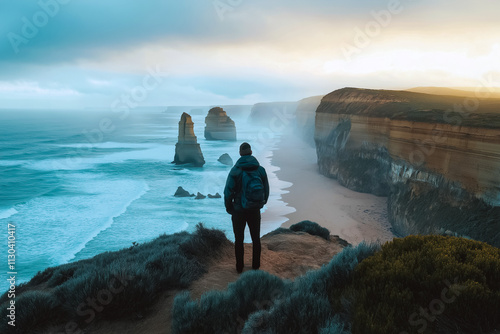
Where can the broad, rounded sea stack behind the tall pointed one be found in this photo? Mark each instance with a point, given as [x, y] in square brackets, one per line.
[219, 126]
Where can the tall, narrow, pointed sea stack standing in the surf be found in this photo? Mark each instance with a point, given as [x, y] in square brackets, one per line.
[187, 149]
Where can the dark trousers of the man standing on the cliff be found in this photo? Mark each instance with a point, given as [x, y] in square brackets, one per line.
[240, 218]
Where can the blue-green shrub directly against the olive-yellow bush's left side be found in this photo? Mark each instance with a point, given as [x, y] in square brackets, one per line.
[308, 308]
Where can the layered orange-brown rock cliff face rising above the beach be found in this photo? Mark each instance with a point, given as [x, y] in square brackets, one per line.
[436, 157]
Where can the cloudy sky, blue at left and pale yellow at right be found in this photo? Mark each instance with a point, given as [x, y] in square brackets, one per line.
[91, 53]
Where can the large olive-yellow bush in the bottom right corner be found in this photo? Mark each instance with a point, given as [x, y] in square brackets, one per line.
[428, 284]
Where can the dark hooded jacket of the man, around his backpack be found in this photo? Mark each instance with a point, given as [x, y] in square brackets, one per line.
[232, 191]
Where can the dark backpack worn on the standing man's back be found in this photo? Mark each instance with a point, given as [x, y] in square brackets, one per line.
[252, 190]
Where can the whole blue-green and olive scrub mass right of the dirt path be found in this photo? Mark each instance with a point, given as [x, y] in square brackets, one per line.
[419, 284]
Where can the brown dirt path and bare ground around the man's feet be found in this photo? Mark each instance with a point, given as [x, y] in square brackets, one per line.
[283, 255]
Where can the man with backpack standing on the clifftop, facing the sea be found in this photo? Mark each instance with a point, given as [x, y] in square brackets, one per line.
[246, 192]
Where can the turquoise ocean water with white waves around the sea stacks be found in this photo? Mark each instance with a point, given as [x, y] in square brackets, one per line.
[74, 191]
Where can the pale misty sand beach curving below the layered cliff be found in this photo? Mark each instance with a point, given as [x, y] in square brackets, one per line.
[351, 215]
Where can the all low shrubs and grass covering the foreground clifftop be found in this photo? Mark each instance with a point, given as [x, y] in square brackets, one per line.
[418, 284]
